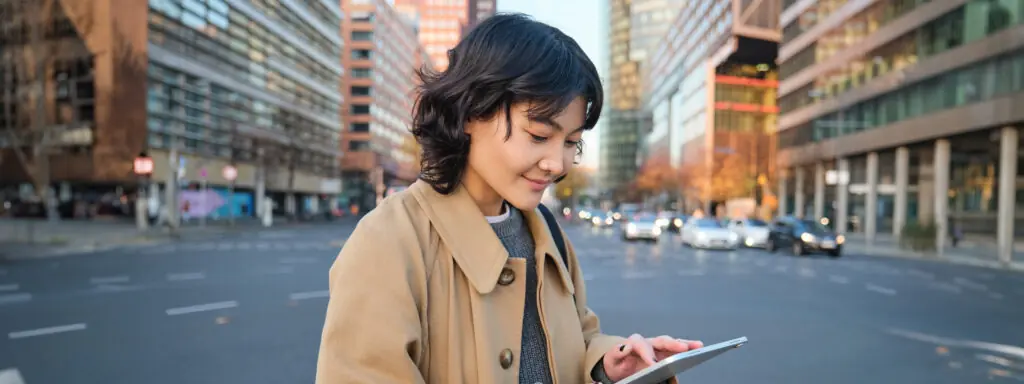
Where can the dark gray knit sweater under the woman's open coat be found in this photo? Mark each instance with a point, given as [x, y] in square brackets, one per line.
[516, 236]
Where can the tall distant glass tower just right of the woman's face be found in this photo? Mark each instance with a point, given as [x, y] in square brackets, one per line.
[635, 29]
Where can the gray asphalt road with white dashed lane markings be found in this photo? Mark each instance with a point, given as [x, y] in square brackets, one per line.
[249, 309]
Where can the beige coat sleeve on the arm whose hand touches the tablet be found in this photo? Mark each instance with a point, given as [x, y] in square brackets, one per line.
[598, 344]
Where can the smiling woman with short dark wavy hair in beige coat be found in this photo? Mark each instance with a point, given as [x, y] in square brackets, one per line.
[459, 280]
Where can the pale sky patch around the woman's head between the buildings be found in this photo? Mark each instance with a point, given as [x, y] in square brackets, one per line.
[584, 21]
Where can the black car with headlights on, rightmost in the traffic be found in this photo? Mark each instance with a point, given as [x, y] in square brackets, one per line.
[804, 237]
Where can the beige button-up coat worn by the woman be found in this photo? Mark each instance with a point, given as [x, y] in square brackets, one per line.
[424, 292]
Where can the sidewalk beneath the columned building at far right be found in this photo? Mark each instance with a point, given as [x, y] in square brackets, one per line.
[977, 252]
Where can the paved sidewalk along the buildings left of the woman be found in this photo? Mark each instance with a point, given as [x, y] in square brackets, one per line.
[33, 239]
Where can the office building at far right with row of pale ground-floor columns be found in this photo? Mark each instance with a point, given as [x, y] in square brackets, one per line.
[905, 112]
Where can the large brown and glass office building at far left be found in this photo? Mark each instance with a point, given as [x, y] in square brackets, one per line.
[252, 84]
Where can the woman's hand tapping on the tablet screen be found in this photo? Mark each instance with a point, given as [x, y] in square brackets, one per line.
[638, 354]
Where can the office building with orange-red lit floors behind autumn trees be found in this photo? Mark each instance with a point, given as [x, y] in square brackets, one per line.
[711, 91]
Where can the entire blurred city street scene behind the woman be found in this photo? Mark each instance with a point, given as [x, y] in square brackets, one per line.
[840, 182]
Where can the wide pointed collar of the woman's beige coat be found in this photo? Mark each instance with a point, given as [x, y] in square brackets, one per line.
[474, 243]
